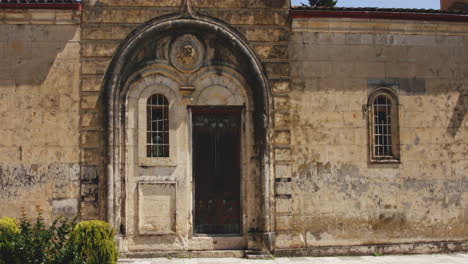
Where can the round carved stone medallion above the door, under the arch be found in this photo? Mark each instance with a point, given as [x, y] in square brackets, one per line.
[187, 53]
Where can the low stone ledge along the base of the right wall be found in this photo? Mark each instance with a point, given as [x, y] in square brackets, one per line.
[431, 247]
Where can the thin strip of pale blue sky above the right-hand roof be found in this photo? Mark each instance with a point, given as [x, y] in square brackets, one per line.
[426, 4]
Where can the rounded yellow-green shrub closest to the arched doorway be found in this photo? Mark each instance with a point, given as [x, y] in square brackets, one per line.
[94, 241]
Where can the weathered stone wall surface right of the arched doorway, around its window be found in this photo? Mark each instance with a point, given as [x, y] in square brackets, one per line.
[339, 198]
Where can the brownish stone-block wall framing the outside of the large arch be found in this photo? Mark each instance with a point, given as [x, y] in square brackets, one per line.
[106, 23]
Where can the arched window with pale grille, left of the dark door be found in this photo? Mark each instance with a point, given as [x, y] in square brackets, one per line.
[157, 141]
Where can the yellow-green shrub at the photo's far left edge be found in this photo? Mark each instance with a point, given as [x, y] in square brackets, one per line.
[8, 234]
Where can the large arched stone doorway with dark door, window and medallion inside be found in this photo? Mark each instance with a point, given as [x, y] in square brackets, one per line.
[203, 70]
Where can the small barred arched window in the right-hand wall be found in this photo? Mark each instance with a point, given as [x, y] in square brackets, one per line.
[384, 127]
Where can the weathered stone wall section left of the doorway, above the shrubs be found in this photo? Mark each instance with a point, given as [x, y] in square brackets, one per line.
[39, 112]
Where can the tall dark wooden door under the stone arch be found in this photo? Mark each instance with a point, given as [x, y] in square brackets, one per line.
[217, 170]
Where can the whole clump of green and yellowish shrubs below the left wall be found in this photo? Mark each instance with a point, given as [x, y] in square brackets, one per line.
[63, 242]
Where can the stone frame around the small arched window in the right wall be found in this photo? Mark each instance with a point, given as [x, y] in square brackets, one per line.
[394, 124]
